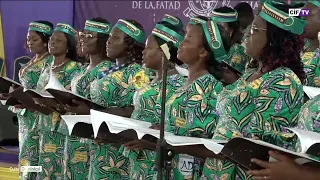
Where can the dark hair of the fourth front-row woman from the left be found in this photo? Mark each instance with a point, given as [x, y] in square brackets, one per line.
[134, 48]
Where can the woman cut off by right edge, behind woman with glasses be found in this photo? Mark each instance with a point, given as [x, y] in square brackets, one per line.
[311, 55]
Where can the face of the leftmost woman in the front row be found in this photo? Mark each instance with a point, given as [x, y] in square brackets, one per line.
[35, 44]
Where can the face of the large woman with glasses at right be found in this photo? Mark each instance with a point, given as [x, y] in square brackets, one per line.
[257, 38]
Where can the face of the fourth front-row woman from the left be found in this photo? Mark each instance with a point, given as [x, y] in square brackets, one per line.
[116, 46]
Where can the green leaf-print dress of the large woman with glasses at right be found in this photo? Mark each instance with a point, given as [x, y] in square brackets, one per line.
[256, 109]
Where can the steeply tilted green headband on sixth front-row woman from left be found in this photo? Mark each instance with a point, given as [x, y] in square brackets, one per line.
[214, 39]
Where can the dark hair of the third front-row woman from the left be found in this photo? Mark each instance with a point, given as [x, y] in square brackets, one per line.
[102, 38]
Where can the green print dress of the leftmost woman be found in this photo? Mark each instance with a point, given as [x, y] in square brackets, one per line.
[28, 120]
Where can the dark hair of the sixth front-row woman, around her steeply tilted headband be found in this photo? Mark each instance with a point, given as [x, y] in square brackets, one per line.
[214, 67]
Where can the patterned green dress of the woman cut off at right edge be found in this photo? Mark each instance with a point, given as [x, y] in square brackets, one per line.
[311, 61]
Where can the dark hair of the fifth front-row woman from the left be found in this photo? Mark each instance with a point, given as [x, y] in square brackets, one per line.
[173, 50]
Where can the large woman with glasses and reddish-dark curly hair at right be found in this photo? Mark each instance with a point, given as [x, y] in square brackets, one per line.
[267, 97]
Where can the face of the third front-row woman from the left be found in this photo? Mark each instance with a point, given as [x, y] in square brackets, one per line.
[89, 42]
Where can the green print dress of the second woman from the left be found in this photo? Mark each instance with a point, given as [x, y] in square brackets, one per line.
[51, 142]
